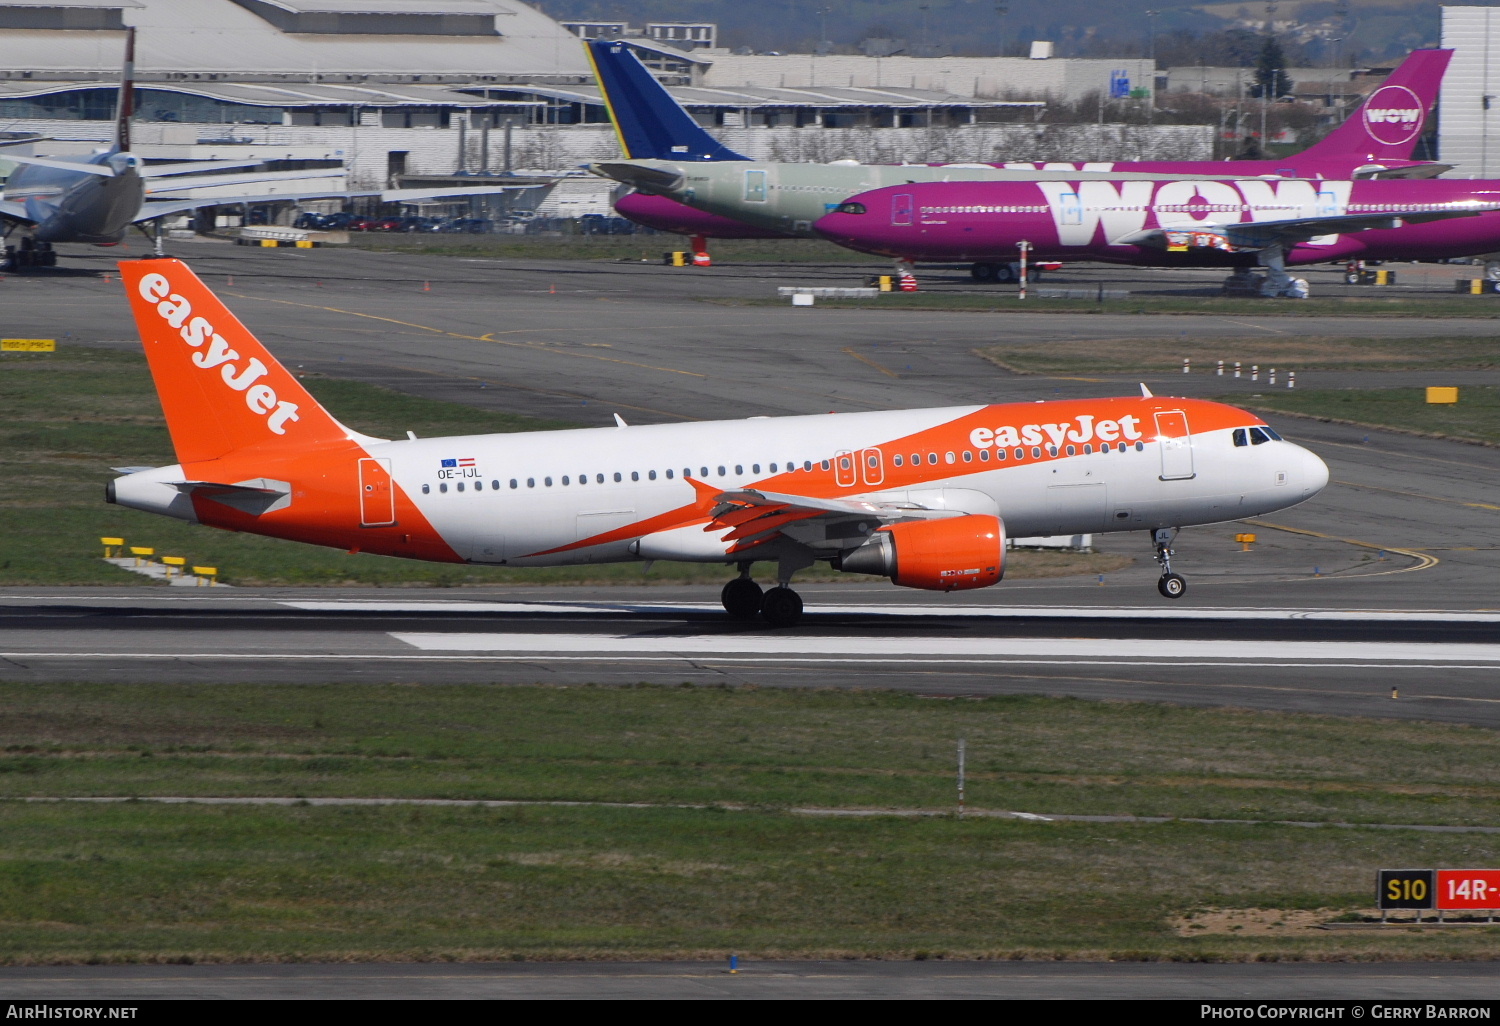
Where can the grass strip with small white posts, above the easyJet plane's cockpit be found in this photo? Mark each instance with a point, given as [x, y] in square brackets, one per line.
[1289, 352]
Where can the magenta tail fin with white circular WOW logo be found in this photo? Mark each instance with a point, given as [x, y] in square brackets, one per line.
[1390, 122]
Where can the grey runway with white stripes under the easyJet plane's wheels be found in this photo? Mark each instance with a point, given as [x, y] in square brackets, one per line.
[1405, 664]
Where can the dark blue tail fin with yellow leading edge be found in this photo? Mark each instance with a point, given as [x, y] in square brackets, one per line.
[649, 122]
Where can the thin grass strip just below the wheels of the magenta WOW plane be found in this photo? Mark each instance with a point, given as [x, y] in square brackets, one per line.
[1007, 302]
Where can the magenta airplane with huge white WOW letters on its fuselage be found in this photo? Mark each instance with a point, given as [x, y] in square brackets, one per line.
[1270, 223]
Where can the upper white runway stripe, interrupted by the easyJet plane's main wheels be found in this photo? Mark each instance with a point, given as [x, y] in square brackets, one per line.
[881, 610]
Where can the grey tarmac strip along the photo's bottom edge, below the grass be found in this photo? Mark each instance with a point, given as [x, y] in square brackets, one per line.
[1363, 983]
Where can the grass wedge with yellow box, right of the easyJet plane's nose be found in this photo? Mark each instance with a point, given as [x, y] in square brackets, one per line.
[1475, 416]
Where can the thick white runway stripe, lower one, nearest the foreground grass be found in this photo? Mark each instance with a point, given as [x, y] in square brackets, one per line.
[1034, 650]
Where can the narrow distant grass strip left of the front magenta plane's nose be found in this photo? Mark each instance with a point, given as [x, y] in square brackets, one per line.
[616, 248]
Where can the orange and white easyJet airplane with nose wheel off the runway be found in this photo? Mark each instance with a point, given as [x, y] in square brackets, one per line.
[923, 497]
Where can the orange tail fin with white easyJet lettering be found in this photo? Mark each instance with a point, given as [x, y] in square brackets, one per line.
[220, 388]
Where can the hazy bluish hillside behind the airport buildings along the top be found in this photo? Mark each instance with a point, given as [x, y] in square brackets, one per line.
[1316, 32]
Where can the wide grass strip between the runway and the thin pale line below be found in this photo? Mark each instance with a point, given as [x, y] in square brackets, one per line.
[755, 748]
